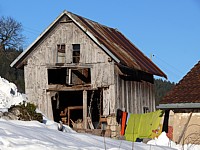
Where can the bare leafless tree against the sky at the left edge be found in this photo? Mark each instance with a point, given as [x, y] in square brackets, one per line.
[10, 33]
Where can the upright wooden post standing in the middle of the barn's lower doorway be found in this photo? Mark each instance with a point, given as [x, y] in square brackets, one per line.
[85, 109]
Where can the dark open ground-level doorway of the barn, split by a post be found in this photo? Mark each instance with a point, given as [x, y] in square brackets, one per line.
[62, 100]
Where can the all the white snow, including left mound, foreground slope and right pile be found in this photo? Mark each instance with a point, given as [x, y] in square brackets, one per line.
[33, 135]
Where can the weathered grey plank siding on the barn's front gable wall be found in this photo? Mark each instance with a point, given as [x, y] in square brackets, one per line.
[45, 54]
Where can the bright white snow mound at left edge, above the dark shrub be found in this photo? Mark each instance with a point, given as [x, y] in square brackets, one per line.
[9, 94]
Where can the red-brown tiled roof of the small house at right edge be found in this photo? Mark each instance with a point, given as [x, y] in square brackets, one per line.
[187, 90]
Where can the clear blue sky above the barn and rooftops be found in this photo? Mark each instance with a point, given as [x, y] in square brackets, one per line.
[167, 30]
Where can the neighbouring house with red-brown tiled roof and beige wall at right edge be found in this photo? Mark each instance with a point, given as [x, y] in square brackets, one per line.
[184, 100]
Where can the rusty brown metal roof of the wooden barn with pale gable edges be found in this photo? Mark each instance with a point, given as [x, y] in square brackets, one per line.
[113, 42]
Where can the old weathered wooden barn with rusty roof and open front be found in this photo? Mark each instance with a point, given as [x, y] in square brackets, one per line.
[90, 68]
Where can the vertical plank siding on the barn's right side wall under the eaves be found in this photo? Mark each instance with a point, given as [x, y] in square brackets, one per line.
[132, 96]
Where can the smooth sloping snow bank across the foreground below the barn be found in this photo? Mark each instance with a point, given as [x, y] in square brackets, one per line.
[32, 135]
